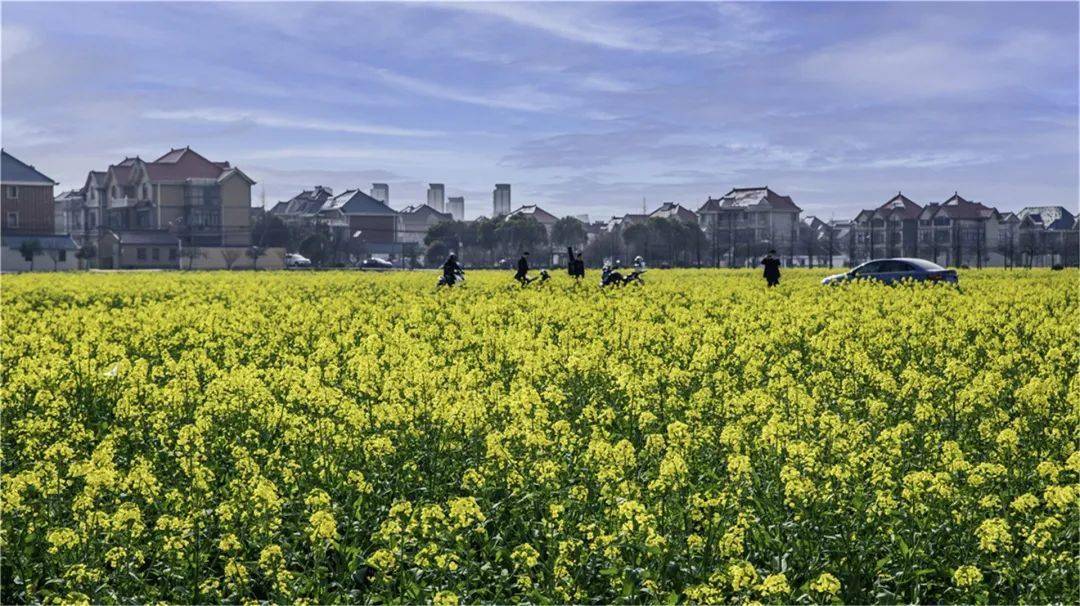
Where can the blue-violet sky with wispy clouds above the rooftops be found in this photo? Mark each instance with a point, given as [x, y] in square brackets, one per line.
[584, 107]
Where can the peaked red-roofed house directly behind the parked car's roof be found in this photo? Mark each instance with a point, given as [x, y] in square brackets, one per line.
[890, 231]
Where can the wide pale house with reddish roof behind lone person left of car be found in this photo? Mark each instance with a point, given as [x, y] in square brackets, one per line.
[746, 223]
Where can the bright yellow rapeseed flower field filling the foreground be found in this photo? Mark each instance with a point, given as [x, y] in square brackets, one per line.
[331, 438]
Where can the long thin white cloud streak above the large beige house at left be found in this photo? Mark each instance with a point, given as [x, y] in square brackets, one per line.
[226, 116]
